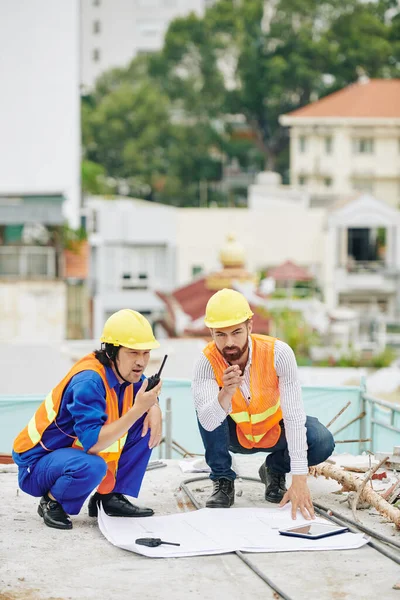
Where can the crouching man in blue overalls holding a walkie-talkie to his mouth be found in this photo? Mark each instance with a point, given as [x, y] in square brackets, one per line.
[95, 429]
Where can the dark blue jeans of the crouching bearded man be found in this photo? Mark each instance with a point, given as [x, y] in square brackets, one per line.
[223, 439]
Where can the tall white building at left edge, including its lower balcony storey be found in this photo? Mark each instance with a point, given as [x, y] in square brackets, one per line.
[40, 163]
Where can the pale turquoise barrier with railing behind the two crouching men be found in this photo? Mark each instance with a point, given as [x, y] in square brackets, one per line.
[365, 418]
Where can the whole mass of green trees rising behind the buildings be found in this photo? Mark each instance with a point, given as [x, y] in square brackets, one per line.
[167, 122]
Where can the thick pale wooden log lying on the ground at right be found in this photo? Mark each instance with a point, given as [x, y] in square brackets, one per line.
[351, 482]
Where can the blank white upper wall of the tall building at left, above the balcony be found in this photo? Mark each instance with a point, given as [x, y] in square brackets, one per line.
[39, 106]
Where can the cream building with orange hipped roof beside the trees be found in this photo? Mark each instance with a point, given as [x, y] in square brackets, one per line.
[348, 141]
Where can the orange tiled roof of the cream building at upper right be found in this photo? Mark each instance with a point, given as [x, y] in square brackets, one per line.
[379, 98]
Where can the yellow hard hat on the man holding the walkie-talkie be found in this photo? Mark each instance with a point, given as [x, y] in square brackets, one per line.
[130, 329]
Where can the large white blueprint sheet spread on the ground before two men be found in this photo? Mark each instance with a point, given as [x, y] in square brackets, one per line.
[216, 531]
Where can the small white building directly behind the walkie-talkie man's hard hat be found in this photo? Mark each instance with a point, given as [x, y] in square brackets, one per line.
[133, 254]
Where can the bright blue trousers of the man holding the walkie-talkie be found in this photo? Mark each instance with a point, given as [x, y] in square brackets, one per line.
[70, 475]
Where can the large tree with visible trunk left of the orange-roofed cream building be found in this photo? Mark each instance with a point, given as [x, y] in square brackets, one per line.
[263, 59]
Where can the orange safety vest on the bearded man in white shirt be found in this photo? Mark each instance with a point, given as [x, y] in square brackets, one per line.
[257, 423]
